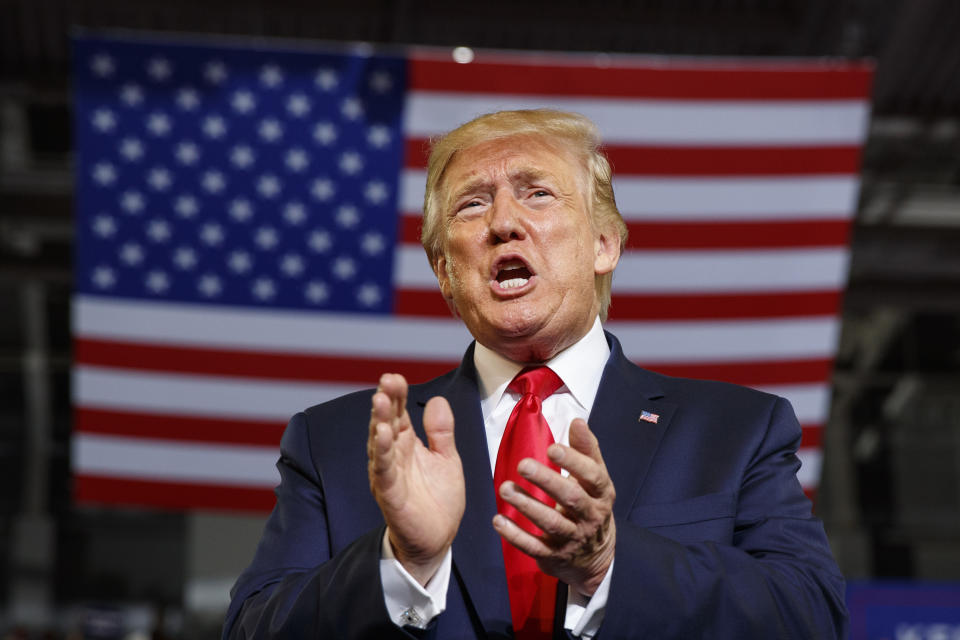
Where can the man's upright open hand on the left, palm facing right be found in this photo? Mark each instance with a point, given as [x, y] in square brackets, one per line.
[420, 490]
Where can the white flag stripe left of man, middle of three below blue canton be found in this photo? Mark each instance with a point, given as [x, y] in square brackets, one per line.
[108, 388]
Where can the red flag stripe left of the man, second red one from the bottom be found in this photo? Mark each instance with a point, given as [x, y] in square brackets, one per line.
[177, 427]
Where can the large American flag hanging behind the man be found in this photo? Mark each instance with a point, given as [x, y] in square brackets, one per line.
[247, 236]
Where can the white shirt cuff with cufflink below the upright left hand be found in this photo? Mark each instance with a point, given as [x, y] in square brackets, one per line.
[409, 603]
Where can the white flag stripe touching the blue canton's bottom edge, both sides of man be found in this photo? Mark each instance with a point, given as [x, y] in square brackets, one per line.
[432, 340]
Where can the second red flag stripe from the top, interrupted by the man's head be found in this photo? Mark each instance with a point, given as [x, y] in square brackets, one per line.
[706, 161]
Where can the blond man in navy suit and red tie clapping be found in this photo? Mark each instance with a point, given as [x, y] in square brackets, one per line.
[666, 508]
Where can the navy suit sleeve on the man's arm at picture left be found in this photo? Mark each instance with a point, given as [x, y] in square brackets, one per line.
[294, 587]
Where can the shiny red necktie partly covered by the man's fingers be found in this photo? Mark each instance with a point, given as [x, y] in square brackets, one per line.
[532, 592]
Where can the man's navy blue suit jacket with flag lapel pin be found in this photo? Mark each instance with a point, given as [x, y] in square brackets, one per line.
[715, 538]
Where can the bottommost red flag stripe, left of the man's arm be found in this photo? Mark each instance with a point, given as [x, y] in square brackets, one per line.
[92, 490]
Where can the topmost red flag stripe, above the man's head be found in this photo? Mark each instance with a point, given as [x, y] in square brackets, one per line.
[491, 73]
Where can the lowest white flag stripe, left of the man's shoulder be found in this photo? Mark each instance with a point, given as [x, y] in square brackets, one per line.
[170, 461]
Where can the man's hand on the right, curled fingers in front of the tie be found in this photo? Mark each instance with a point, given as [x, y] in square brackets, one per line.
[579, 534]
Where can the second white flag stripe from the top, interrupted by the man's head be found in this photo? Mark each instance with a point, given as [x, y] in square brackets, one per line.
[708, 199]
